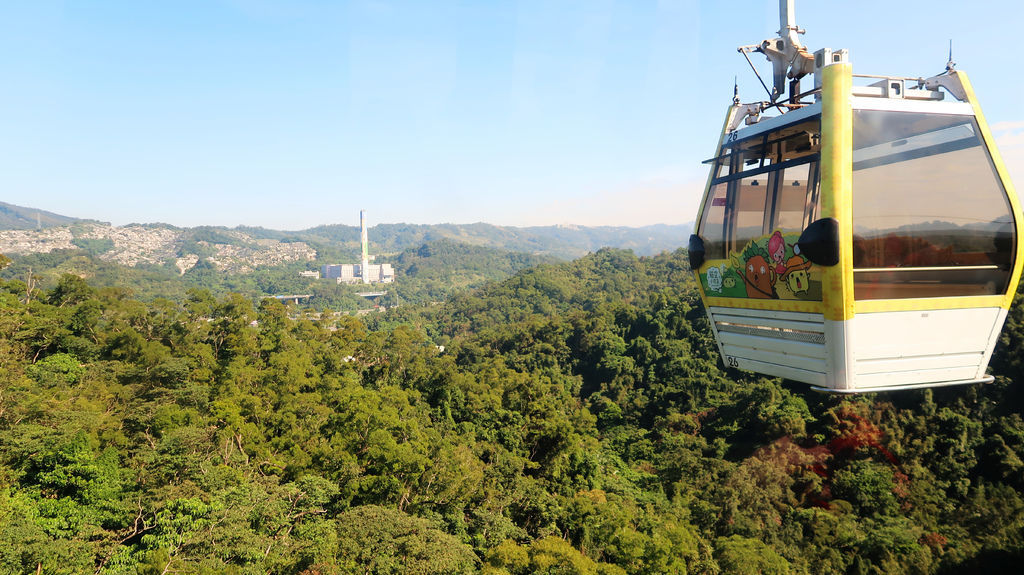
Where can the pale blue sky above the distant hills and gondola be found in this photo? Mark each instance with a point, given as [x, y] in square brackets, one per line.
[289, 115]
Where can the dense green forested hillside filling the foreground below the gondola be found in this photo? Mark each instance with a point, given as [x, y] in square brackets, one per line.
[571, 420]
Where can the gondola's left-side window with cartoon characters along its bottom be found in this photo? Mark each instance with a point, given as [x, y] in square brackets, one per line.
[763, 194]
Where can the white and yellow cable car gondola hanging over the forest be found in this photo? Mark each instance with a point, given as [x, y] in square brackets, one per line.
[868, 238]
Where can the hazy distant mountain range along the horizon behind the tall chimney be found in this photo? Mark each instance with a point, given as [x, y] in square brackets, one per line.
[19, 235]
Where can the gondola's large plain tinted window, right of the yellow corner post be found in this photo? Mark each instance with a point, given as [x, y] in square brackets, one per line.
[931, 218]
